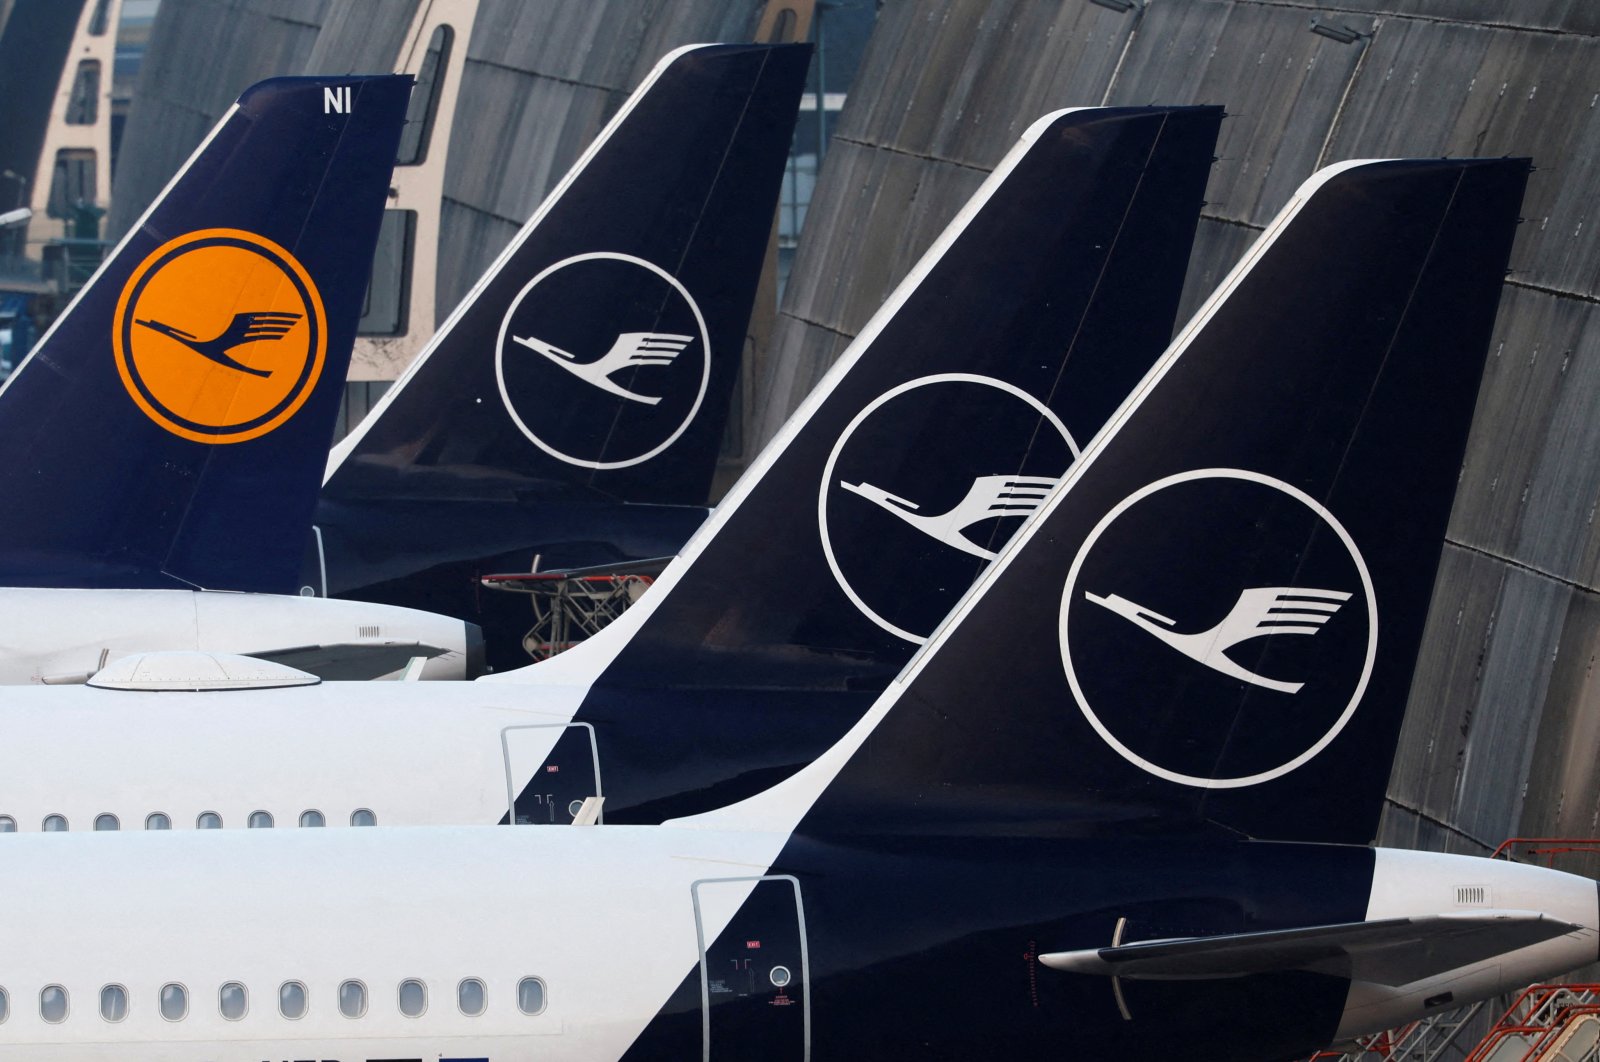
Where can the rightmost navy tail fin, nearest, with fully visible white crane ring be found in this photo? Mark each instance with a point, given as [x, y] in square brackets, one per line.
[1215, 623]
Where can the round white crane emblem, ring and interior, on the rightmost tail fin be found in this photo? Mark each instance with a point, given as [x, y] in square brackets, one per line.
[1222, 533]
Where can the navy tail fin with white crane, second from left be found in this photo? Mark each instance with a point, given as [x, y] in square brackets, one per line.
[599, 351]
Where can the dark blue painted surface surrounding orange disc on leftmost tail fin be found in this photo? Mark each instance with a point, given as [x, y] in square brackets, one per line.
[98, 495]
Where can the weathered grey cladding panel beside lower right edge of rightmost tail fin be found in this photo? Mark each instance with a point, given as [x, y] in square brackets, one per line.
[1476, 706]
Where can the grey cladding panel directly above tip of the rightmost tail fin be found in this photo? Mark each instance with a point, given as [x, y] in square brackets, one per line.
[1470, 90]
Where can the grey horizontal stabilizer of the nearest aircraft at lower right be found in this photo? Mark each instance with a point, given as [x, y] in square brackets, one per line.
[1390, 952]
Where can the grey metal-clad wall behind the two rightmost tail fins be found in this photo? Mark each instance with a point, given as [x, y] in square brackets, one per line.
[1503, 727]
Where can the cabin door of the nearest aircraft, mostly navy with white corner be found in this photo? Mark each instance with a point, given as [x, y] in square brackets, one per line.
[756, 999]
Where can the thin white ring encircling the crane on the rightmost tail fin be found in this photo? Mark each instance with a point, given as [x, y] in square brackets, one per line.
[1372, 628]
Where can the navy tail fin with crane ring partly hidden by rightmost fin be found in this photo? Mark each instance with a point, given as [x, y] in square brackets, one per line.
[954, 410]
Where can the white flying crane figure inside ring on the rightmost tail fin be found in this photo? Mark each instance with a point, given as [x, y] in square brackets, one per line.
[1260, 612]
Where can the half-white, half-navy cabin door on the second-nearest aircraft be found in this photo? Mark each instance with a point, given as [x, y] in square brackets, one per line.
[551, 769]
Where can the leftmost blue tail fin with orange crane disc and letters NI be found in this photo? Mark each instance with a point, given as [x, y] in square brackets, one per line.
[169, 431]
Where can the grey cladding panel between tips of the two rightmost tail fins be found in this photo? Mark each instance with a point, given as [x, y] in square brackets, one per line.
[1282, 89]
